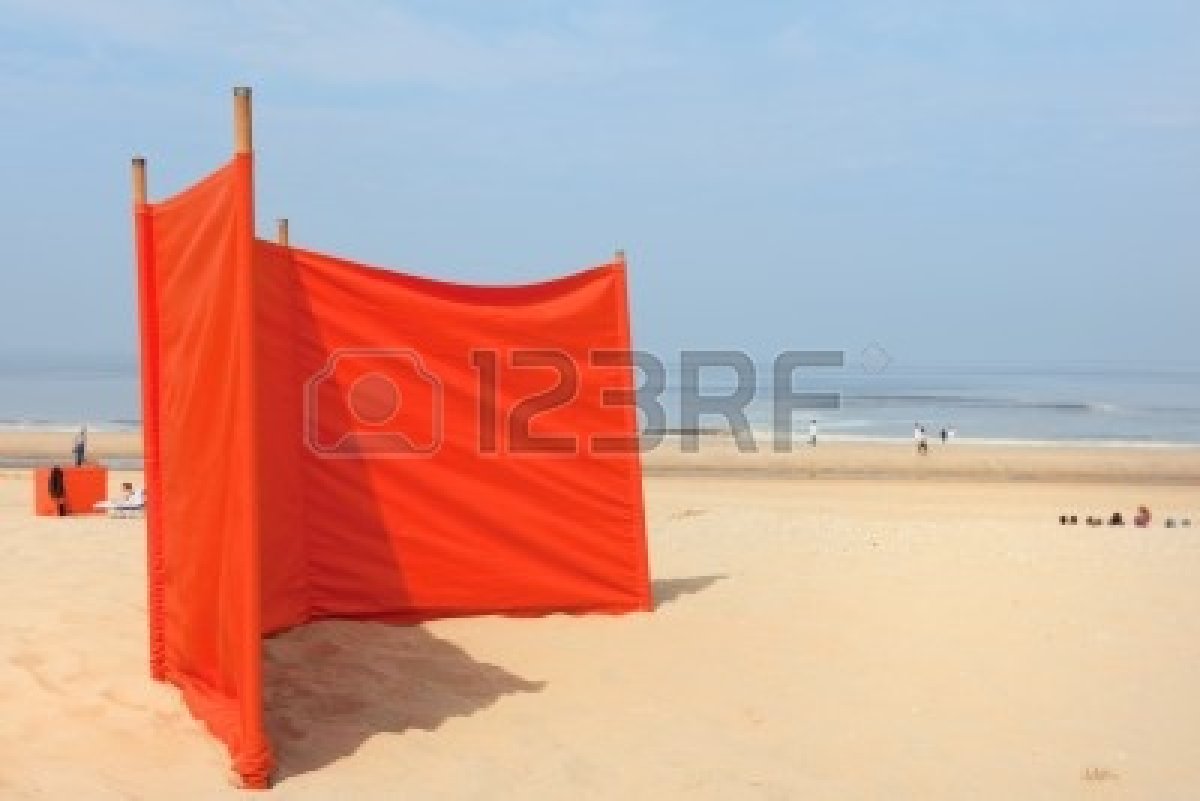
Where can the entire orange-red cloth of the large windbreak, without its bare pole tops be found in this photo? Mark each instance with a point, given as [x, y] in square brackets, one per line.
[326, 439]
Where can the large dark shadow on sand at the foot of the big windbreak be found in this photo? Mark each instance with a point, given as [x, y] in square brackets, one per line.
[332, 685]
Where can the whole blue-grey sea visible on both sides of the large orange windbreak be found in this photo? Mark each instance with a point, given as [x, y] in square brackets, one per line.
[1004, 403]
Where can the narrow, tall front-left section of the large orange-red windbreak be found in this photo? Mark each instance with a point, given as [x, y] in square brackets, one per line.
[199, 309]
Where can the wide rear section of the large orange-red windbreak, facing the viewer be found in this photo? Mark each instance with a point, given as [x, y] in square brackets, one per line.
[370, 534]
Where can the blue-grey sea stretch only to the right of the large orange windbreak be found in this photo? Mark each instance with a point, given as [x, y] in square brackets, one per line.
[997, 403]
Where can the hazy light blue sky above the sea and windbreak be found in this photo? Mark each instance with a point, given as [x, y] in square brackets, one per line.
[956, 182]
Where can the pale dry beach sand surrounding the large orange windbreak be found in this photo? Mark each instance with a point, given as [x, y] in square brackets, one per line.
[934, 639]
